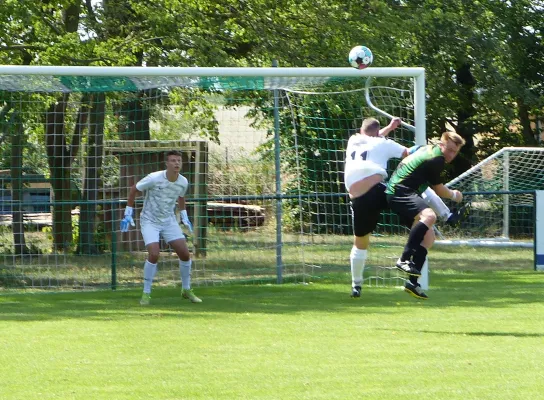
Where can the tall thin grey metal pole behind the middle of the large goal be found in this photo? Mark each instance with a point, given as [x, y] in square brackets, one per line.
[277, 144]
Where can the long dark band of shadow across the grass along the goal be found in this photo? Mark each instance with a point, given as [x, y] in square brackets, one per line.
[448, 289]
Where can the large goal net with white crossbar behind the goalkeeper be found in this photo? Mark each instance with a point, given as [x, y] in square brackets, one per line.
[263, 150]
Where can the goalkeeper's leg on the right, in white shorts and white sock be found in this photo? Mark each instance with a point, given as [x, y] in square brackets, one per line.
[177, 241]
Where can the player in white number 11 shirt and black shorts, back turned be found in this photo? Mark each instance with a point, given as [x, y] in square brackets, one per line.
[367, 155]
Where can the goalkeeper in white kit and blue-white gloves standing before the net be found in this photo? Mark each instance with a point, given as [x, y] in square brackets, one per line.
[163, 189]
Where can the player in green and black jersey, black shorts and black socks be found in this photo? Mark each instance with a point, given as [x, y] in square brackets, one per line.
[413, 175]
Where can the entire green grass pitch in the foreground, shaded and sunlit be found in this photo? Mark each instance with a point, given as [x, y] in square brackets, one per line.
[479, 336]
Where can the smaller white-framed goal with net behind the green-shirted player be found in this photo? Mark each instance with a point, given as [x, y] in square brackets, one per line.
[501, 193]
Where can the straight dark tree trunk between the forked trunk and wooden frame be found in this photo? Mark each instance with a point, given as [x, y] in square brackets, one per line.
[95, 141]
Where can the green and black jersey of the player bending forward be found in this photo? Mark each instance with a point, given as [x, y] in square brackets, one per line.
[419, 170]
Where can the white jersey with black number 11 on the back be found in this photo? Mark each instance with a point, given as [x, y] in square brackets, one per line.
[368, 155]
